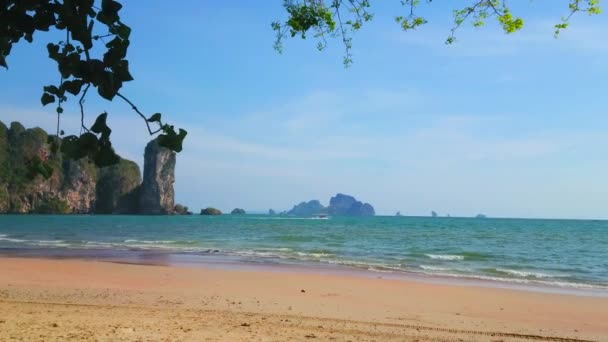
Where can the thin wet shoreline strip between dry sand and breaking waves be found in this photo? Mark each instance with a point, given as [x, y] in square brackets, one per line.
[228, 262]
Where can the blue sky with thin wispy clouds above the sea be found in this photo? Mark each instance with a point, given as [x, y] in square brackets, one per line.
[505, 125]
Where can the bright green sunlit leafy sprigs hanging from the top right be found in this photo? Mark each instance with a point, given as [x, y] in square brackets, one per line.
[340, 18]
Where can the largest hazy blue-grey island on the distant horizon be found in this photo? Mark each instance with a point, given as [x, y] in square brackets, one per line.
[339, 205]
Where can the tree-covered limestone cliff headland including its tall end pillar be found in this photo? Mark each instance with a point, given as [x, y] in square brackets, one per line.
[78, 186]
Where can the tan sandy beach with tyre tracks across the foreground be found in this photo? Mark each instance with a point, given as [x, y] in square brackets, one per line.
[56, 300]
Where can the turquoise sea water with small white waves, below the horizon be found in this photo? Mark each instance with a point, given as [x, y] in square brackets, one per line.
[560, 253]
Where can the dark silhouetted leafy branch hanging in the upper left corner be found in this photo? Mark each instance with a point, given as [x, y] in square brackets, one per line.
[92, 55]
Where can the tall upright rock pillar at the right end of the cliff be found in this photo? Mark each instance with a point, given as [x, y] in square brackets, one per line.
[157, 195]
